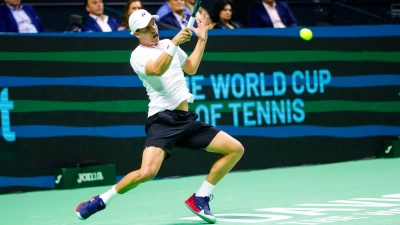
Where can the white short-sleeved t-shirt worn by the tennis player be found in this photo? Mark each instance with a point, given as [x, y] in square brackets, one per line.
[166, 91]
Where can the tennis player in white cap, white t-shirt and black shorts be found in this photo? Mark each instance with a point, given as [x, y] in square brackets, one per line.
[160, 65]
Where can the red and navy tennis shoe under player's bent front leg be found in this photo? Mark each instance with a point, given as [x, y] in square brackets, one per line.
[200, 207]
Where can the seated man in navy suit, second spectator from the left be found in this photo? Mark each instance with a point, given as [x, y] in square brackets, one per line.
[97, 21]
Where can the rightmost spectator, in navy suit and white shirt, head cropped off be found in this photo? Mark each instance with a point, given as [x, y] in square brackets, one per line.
[269, 13]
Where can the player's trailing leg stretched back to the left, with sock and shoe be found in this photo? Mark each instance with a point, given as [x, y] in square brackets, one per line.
[151, 163]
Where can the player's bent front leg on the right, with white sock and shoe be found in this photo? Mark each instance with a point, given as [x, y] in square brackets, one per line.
[231, 150]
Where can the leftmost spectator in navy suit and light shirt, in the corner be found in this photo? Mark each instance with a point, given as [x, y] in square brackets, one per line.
[18, 18]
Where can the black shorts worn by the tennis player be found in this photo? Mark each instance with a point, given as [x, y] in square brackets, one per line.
[178, 128]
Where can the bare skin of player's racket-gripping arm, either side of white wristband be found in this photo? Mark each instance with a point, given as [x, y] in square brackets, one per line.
[159, 66]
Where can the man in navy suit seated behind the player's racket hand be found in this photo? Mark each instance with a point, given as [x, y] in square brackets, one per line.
[177, 17]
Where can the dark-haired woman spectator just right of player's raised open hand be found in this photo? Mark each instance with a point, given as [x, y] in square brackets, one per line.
[222, 13]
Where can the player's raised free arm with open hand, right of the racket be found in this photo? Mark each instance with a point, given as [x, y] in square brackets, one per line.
[193, 61]
